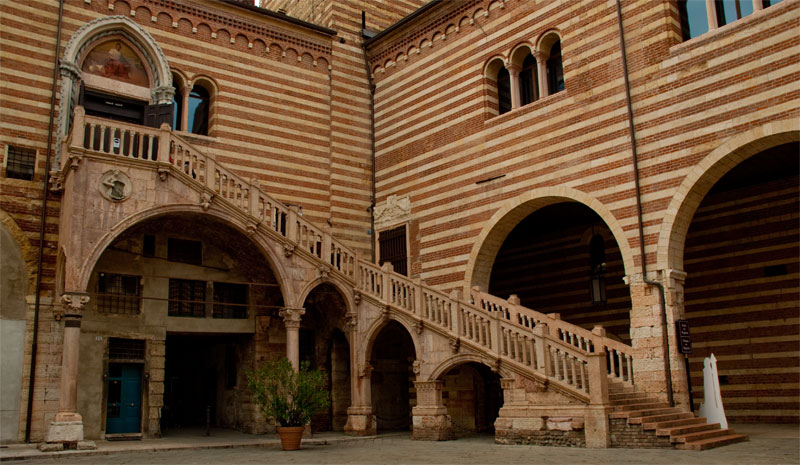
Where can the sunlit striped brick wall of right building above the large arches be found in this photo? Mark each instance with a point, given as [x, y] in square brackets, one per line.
[438, 141]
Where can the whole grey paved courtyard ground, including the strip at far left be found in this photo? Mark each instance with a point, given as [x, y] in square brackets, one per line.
[769, 444]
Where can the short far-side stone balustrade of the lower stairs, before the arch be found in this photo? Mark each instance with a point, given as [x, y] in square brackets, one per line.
[619, 355]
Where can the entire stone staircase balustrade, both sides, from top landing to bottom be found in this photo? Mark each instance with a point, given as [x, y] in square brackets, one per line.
[529, 340]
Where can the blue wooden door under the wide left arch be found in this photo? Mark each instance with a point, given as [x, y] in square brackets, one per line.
[124, 407]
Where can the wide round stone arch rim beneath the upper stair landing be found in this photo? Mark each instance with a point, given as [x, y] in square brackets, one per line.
[108, 238]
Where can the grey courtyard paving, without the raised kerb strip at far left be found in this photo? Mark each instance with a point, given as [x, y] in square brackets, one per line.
[781, 448]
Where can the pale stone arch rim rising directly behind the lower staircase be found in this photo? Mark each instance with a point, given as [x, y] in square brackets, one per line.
[513, 211]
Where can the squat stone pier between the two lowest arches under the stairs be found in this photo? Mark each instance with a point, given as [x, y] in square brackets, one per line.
[429, 418]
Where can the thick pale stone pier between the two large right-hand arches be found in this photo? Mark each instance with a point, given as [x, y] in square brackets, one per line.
[649, 367]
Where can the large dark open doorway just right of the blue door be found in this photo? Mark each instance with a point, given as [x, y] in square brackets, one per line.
[201, 378]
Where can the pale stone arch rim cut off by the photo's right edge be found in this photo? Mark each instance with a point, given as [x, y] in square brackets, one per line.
[702, 178]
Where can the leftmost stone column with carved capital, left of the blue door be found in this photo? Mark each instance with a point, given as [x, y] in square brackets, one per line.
[67, 427]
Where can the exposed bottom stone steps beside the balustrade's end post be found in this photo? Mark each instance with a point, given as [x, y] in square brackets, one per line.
[683, 429]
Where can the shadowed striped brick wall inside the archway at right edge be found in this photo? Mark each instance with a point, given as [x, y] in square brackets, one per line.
[743, 292]
